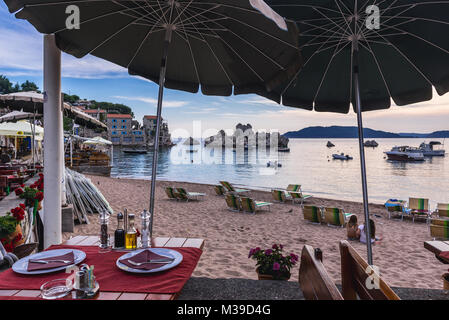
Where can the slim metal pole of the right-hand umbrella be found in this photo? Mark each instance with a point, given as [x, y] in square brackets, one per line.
[358, 106]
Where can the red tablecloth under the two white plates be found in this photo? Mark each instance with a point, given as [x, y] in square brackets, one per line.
[110, 277]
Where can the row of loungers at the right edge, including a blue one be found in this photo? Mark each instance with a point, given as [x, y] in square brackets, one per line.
[416, 208]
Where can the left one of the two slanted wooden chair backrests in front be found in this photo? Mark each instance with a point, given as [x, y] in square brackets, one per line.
[314, 280]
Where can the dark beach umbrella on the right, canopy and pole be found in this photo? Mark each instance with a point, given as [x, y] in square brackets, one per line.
[367, 52]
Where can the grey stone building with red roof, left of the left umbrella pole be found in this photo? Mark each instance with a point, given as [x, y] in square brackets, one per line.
[123, 131]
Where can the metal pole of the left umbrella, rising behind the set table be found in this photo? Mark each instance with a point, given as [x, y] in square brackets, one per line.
[168, 36]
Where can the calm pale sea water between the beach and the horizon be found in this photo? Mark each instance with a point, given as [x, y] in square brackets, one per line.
[308, 163]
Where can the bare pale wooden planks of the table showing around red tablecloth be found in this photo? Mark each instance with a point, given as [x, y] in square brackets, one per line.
[94, 240]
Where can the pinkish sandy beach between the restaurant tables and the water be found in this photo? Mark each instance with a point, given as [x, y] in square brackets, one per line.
[401, 257]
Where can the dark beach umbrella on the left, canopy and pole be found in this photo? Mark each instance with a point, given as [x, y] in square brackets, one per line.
[224, 46]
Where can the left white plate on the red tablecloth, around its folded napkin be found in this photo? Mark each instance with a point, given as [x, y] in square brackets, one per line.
[21, 265]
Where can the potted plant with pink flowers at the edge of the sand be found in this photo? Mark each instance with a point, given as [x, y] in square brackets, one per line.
[272, 264]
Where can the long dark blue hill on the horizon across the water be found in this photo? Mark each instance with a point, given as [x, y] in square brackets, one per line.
[351, 132]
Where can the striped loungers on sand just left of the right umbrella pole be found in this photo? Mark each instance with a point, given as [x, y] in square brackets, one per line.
[326, 215]
